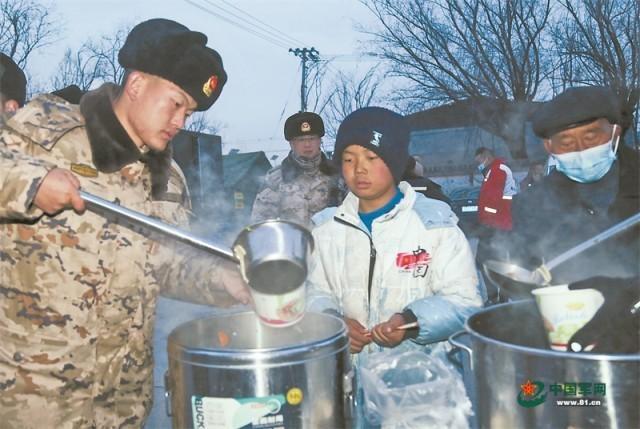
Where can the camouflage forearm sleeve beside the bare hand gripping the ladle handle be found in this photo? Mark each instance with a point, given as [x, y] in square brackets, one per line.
[20, 177]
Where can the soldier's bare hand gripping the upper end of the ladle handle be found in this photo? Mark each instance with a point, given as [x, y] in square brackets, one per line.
[59, 190]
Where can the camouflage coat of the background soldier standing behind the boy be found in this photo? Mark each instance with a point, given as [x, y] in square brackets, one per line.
[291, 193]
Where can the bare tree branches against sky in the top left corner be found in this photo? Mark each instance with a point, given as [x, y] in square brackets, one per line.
[25, 25]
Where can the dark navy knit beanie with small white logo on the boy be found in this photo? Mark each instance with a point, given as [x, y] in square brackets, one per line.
[380, 130]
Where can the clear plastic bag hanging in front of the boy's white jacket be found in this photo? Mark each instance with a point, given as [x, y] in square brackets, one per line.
[413, 389]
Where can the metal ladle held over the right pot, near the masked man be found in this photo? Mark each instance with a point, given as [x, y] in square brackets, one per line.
[518, 281]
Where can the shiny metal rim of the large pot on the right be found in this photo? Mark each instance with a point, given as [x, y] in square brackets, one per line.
[633, 357]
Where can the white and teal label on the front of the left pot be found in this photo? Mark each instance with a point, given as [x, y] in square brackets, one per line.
[228, 413]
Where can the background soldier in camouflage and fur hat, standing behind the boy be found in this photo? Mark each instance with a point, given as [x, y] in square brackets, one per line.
[306, 182]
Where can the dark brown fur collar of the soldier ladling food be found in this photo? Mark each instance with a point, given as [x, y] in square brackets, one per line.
[111, 146]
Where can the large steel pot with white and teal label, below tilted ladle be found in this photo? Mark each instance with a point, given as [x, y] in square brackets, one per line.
[232, 371]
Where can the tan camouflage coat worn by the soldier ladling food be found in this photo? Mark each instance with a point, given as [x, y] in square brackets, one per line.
[78, 292]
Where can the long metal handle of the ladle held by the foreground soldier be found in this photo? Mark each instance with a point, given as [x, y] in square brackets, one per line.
[100, 206]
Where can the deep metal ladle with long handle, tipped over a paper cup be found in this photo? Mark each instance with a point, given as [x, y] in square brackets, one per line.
[272, 254]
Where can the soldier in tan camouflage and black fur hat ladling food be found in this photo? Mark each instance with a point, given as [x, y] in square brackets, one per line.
[78, 291]
